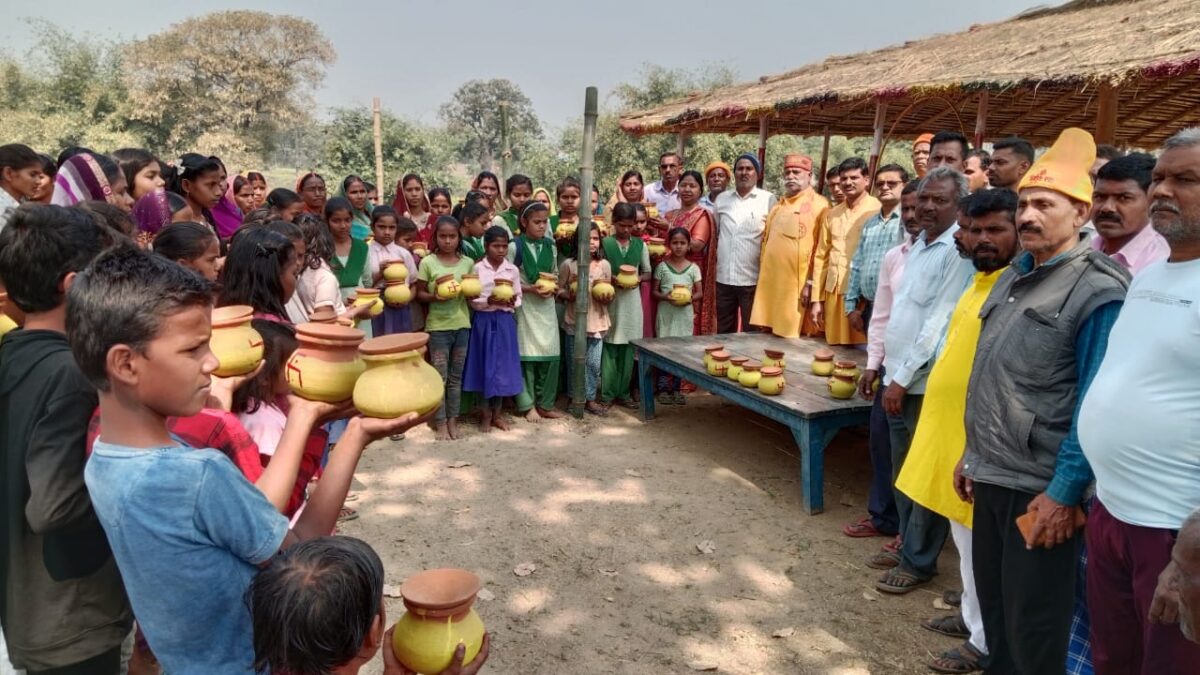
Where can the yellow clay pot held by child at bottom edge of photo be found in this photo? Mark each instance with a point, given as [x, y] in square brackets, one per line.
[440, 618]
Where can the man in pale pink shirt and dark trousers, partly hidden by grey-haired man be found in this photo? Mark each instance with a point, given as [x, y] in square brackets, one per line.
[884, 519]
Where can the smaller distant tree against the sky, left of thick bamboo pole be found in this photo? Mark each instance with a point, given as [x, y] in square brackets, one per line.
[475, 115]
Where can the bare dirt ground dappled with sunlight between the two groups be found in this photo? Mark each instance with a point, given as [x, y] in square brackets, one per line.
[613, 511]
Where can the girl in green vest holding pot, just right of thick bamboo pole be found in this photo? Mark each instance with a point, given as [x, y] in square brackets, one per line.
[626, 314]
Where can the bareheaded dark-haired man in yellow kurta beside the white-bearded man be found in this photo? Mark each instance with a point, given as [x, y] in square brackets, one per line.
[841, 230]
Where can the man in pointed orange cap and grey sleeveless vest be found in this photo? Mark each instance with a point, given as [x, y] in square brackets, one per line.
[1046, 328]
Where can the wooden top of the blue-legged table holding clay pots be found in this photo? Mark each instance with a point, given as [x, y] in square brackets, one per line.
[806, 395]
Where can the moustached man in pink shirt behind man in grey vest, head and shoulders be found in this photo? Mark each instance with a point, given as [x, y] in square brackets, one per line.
[1121, 213]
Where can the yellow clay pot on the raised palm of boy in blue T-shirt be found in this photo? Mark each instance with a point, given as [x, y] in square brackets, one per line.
[398, 380]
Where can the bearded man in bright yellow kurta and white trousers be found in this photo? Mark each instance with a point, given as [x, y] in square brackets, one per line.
[928, 474]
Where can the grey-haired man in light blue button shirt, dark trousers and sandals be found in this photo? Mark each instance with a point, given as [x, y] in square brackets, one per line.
[934, 279]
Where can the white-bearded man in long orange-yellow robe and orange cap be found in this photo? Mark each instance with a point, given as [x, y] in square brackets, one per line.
[788, 246]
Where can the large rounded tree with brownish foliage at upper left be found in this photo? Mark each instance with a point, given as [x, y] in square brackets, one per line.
[225, 83]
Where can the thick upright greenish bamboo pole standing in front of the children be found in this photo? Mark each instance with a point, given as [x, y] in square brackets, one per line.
[583, 246]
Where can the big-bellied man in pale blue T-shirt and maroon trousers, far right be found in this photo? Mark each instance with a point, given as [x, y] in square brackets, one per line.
[1138, 432]
